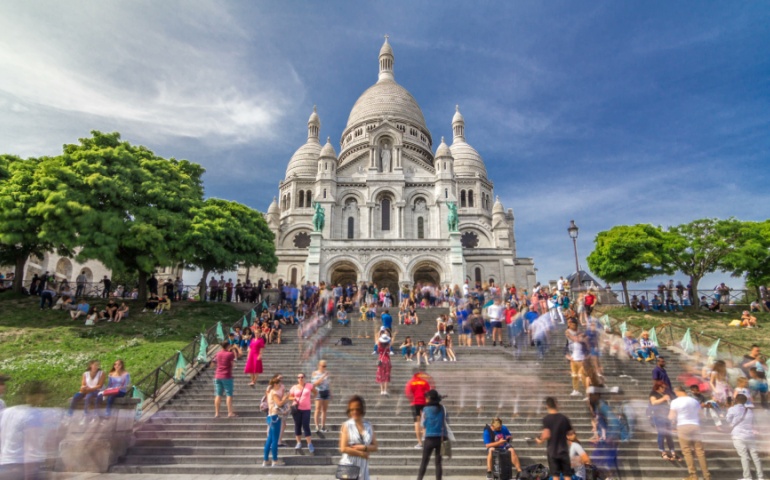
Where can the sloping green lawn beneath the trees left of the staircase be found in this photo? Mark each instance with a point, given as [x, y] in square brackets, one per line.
[47, 345]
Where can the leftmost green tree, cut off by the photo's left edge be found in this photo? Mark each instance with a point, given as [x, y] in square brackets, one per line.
[21, 231]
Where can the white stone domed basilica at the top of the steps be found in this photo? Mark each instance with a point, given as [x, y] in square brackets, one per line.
[386, 198]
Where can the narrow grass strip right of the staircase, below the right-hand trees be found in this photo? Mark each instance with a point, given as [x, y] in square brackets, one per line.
[701, 322]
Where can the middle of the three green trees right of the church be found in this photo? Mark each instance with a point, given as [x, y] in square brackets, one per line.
[700, 247]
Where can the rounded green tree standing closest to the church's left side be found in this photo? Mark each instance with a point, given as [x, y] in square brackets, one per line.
[223, 234]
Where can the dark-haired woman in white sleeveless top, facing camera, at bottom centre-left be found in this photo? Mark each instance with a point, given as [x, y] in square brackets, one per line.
[357, 439]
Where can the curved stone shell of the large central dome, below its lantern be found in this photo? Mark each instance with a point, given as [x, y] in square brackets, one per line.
[386, 98]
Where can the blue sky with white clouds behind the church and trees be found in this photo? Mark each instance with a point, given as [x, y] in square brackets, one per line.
[605, 112]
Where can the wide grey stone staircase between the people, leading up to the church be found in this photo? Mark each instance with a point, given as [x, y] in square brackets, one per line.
[184, 438]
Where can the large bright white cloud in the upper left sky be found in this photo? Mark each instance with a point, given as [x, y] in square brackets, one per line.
[170, 69]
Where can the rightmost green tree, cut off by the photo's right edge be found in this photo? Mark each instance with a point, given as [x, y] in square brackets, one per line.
[751, 256]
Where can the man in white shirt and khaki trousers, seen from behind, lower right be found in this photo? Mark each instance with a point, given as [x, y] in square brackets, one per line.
[685, 412]
